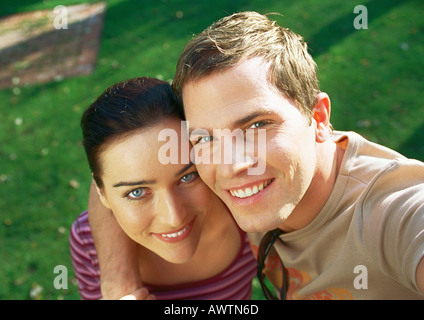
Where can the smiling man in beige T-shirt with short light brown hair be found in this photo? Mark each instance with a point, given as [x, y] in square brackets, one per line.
[346, 215]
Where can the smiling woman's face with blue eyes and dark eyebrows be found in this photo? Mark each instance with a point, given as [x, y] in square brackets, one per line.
[160, 206]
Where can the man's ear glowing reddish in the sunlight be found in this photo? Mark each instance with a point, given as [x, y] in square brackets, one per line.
[321, 115]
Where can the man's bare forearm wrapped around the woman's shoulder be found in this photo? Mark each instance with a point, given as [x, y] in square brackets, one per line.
[117, 253]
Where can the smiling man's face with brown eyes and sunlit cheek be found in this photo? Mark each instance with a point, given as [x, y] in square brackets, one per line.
[242, 98]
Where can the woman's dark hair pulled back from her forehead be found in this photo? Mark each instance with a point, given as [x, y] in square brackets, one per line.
[121, 110]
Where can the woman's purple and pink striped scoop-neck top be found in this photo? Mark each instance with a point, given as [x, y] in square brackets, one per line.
[235, 282]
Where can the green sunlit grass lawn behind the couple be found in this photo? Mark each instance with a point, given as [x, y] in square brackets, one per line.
[374, 78]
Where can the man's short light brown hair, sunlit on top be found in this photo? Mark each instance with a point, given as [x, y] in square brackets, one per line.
[245, 35]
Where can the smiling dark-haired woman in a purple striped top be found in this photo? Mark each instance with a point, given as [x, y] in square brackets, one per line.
[189, 246]
